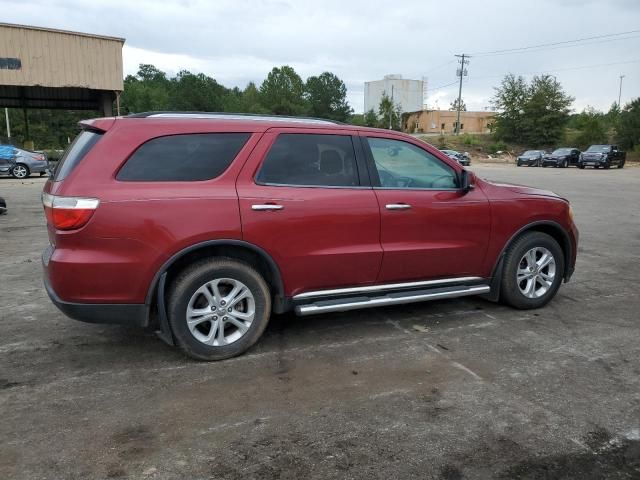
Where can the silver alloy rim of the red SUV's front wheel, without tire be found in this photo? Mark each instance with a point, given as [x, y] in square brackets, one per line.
[536, 272]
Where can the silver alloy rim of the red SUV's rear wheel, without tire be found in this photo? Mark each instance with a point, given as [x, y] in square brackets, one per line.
[220, 312]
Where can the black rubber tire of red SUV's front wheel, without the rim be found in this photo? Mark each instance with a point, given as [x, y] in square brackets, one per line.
[510, 291]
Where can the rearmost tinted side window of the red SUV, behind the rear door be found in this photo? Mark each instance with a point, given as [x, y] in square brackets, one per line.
[183, 158]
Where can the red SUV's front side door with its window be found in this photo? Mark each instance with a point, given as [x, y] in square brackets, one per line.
[427, 232]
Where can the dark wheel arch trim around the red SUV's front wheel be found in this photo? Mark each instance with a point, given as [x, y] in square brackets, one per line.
[549, 227]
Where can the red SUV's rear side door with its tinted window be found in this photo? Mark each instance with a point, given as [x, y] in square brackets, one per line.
[320, 236]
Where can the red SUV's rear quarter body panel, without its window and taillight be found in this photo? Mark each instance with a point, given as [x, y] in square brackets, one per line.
[138, 225]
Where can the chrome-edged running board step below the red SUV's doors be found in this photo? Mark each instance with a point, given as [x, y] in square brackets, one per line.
[392, 298]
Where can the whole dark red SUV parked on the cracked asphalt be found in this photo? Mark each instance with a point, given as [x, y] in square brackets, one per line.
[204, 224]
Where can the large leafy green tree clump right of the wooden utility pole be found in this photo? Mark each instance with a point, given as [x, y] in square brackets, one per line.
[535, 114]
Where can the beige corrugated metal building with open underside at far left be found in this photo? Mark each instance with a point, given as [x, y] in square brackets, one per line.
[47, 68]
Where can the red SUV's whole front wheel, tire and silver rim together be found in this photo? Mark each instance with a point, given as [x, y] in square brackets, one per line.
[533, 271]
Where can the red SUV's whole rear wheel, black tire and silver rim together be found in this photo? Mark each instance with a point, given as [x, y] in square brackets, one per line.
[218, 308]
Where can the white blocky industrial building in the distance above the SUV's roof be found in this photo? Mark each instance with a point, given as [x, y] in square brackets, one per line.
[407, 93]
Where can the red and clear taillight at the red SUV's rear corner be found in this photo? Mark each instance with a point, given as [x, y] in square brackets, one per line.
[68, 213]
